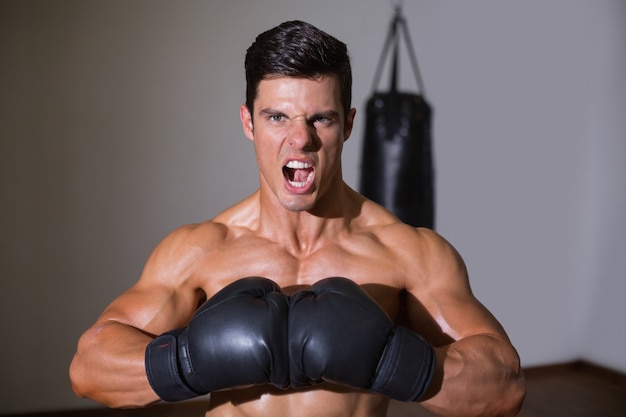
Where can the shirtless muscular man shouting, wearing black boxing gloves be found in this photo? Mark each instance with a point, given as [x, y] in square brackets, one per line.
[294, 343]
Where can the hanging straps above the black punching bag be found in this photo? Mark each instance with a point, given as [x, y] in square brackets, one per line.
[393, 39]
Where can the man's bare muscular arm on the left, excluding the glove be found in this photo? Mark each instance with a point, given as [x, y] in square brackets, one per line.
[109, 365]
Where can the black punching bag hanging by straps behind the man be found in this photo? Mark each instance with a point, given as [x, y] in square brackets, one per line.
[397, 165]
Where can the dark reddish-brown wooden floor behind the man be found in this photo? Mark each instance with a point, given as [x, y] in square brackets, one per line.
[577, 389]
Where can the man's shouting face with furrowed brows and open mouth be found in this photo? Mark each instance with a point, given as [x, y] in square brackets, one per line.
[298, 131]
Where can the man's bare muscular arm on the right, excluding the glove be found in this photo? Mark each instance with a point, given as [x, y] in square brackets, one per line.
[478, 373]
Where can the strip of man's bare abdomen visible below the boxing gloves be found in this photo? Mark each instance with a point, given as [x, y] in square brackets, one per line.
[321, 400]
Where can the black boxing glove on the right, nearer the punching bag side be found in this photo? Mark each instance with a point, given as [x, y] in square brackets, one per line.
[337, 333]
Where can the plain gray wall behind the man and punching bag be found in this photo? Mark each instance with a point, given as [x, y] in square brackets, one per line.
[119, 122]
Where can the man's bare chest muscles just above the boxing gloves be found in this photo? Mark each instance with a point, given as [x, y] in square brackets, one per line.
[373, 267]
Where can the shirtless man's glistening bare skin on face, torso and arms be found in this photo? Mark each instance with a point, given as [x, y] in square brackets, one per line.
[304, 224]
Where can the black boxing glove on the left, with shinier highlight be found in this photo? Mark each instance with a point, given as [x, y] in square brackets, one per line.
[236, 338]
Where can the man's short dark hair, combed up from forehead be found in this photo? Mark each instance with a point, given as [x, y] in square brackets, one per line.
[297, 49]
